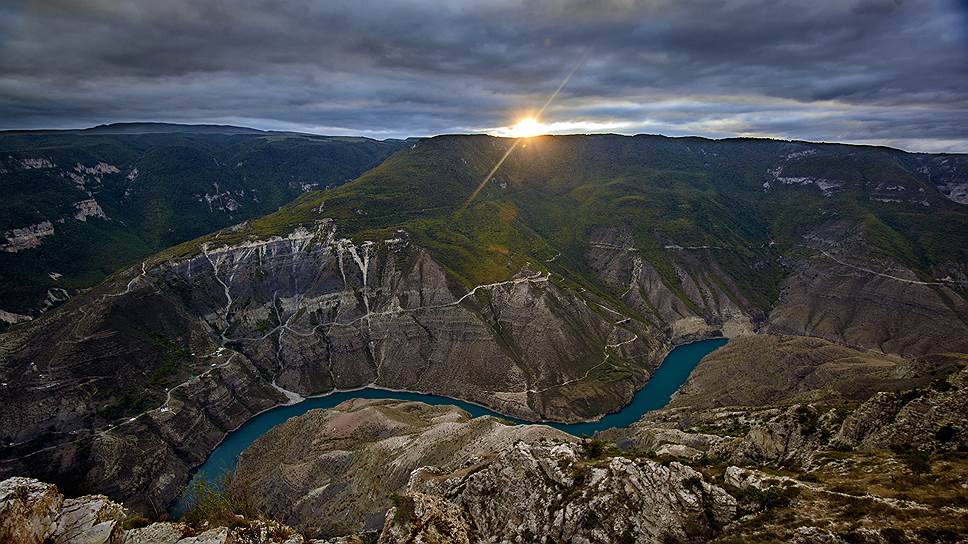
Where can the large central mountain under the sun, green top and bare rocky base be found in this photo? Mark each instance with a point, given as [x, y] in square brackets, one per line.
[550, 290]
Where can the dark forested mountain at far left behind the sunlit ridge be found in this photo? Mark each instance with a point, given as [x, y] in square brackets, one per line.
[80, 204]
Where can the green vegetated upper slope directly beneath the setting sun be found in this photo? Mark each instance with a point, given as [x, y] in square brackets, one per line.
[544, 203]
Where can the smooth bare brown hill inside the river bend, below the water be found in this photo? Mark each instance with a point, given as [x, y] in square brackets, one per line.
[333, 472]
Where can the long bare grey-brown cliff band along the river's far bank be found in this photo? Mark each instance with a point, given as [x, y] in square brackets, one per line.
[309, 312]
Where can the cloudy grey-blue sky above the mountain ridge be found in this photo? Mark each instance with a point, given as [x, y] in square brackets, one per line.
[887, 72]
